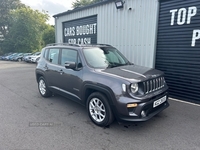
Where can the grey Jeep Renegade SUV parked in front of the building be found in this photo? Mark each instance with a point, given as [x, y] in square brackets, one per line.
[102, 79]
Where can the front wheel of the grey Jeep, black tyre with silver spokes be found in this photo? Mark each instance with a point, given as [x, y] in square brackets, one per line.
[100, 114]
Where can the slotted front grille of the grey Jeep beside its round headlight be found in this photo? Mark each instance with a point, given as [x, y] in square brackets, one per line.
[153, 85]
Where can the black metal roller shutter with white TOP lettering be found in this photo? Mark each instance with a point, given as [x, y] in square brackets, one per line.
[178, 47]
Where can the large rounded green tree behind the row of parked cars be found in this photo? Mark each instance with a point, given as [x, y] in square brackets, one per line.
[26, 30]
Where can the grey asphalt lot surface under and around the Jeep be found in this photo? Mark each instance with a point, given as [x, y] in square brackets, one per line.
[30, 122]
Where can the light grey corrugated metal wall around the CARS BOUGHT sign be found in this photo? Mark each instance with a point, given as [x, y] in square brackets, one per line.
[133, 31]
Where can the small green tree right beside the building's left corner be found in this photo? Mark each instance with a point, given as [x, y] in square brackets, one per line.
[49, 35]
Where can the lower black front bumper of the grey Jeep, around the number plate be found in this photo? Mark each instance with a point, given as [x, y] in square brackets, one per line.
[143, 112]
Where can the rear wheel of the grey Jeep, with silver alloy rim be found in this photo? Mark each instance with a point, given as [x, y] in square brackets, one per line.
[43, 89]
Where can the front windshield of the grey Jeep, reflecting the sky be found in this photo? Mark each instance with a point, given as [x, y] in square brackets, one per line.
[104, 57]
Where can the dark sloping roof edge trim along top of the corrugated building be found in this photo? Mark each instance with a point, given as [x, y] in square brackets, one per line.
[83, 8]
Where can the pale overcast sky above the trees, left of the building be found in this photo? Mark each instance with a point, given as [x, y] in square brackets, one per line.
[52, 6]
